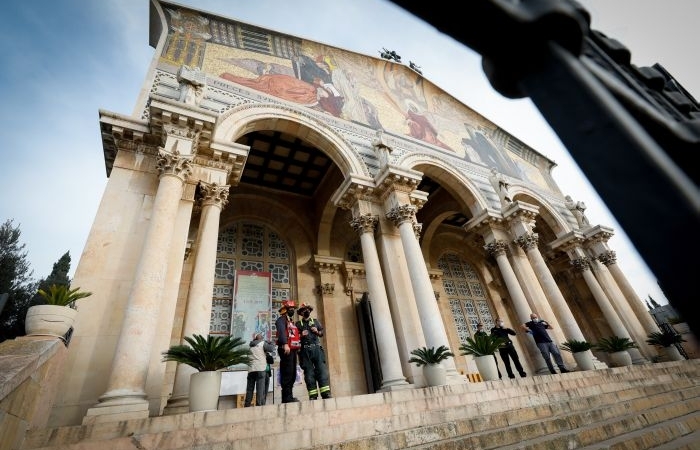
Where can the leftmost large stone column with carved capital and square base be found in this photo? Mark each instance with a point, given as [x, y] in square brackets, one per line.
[126, 386]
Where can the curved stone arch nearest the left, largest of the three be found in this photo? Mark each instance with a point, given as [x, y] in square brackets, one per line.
[247, 118]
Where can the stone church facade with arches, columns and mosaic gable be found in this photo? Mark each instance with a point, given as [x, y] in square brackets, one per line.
[259, 167]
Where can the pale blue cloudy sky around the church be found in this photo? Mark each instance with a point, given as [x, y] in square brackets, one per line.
[65, 60]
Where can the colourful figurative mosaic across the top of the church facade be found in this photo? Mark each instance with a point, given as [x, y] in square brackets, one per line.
[368, 91]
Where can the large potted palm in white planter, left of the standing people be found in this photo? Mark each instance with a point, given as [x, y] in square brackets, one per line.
[208, 356]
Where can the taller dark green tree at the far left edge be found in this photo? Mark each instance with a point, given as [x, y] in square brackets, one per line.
[15, 280]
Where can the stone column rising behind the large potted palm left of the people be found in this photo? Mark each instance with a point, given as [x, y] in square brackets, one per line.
[199, 299]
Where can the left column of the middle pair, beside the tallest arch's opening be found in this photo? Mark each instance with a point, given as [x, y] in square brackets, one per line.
[392, 374]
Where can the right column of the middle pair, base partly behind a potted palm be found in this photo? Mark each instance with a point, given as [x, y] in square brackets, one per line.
[403, 218]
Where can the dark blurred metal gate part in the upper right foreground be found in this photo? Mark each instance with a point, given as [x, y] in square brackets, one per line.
[634, 132]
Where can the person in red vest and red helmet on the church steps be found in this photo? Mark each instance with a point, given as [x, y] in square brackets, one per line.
[286, 330]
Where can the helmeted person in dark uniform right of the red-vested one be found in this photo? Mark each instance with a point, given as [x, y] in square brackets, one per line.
[312, 358]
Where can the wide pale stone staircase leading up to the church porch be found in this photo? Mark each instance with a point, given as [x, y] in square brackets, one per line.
[652, 406]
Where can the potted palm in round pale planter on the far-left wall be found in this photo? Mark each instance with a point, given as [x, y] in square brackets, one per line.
[57, 314]
